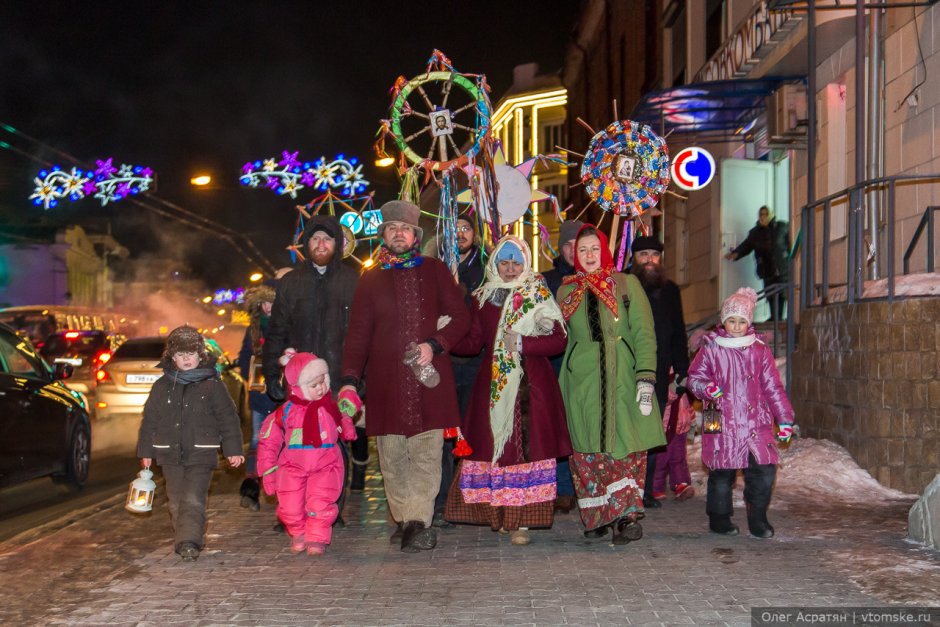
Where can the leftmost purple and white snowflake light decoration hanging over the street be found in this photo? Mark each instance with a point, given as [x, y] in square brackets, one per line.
[106, 182]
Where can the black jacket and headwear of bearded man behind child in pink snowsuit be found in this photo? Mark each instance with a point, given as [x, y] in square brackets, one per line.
[311, 310]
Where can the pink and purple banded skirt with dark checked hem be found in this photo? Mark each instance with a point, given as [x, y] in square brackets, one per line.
[507, 497]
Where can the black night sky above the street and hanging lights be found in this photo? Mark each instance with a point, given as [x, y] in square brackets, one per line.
[187, 87]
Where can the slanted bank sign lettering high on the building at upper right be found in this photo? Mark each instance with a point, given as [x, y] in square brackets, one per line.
[739, 52]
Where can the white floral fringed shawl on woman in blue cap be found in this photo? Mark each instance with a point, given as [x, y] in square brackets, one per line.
[529, 302]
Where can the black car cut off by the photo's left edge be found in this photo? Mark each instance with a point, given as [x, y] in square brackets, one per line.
[44, 427]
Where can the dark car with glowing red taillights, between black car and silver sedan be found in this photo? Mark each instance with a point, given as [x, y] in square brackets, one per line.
[85, 351]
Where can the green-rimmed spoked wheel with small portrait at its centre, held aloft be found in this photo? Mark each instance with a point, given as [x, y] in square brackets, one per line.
[440, 119]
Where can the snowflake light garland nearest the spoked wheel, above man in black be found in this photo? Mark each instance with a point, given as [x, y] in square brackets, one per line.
[288, 175]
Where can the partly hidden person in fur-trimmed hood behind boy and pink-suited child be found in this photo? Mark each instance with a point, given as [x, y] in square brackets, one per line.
[259, 302]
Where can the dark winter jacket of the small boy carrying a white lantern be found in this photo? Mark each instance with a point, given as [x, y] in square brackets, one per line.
[185, 424]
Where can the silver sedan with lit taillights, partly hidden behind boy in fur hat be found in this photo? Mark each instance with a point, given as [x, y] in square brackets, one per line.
[124, 382]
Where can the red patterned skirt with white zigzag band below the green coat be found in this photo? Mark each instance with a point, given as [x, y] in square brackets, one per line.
[608, 488]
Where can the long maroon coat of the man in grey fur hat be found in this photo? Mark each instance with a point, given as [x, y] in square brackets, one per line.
[390, 309]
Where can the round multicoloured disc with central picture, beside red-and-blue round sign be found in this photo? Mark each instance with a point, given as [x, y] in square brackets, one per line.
[626, 168]
